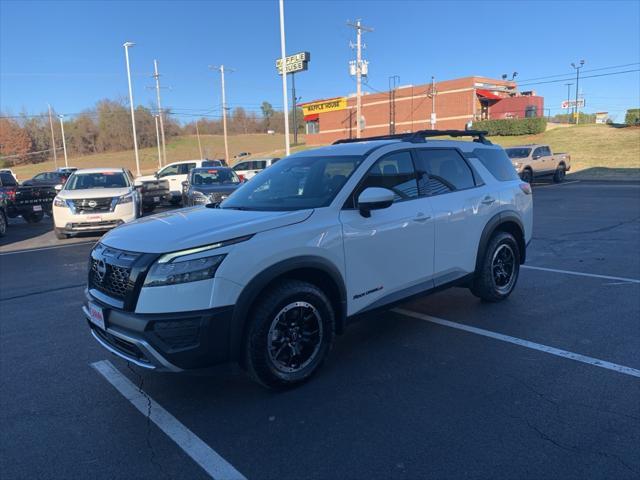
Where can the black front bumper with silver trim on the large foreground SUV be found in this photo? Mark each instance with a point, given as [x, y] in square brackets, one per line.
[170, 342]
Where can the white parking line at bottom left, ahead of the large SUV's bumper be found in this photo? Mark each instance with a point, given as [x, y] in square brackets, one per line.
[212, 463]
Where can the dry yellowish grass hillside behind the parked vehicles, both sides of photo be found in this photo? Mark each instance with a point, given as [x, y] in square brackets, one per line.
[597, 151]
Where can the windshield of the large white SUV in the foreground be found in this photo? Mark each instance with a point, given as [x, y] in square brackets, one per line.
[295, 183]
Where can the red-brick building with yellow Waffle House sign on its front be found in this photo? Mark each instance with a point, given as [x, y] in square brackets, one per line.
[457, 102]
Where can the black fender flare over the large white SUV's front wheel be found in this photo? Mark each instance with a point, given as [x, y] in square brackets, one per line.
[251, 291]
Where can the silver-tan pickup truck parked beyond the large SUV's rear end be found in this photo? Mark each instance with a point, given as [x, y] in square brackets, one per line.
[531, 161]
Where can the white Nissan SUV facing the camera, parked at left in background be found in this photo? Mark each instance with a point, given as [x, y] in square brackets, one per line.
[95, 199]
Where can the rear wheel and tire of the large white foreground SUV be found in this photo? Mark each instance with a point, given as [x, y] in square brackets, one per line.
[496, 276]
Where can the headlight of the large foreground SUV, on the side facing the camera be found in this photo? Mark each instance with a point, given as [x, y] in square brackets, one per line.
[175, 271]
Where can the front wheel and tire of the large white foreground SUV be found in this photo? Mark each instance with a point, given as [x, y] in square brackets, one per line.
[294, 311]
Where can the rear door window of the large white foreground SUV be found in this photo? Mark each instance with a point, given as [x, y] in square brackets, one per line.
[447, 171]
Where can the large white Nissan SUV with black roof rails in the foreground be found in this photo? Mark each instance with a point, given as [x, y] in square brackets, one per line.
[269, 276]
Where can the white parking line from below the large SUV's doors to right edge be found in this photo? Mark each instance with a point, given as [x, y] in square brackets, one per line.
[523, 343]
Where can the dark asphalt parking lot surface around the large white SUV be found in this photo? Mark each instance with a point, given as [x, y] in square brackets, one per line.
[544, 385]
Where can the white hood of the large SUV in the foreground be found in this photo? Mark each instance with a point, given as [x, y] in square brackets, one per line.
[194, 227]
